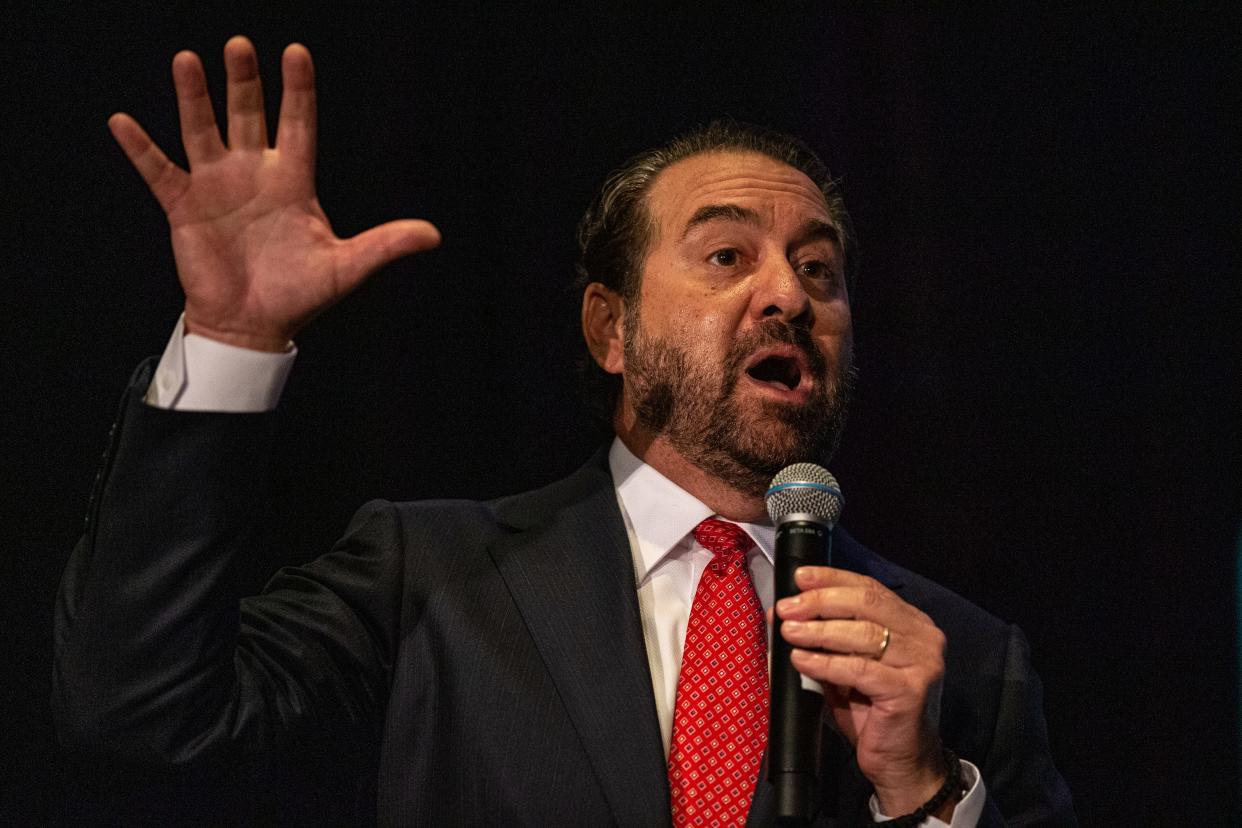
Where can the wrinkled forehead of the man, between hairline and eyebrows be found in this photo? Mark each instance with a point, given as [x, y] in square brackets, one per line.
[772, 189]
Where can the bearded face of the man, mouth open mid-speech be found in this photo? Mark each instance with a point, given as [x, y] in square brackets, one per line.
[741, 349]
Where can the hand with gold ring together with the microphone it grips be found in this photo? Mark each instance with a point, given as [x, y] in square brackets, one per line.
[880, 659]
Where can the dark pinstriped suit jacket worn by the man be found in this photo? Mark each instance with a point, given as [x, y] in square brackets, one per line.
[491, 654]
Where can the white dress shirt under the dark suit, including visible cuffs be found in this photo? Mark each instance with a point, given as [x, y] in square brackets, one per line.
[199, 374]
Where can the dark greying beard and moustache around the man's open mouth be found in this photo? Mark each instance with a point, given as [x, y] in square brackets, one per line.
[690, 399]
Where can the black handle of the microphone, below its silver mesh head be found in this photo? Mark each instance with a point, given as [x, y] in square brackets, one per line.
[794, 739]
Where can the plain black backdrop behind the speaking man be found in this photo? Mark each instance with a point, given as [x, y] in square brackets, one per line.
[1046, 320]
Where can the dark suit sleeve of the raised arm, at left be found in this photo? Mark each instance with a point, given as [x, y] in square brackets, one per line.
[157, 657]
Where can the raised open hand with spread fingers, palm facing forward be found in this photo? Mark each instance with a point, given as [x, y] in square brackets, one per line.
[255, 253]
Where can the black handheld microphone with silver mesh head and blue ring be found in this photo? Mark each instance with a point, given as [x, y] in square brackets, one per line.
[804, 503]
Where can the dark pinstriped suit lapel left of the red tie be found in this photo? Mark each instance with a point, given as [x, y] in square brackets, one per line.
[569, 569]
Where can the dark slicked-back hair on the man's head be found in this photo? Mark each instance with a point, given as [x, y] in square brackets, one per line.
[617, 230]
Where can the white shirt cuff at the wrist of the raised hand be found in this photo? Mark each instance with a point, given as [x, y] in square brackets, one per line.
[201, 374]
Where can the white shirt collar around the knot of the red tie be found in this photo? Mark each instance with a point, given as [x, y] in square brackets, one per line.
[661, 513]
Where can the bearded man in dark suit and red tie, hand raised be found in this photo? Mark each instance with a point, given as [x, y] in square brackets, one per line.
[520, 661]
